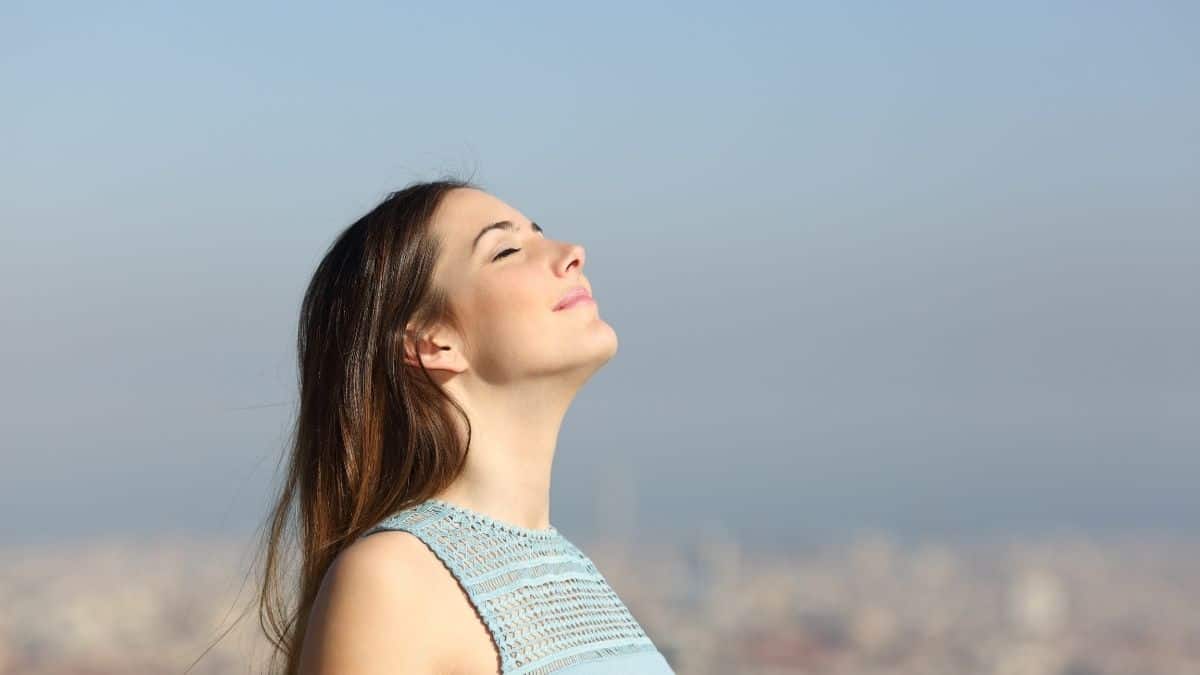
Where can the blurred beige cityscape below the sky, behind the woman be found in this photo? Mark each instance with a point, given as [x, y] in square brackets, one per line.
[868, 606]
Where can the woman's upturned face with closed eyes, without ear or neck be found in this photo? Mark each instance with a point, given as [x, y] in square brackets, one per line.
[505, 284]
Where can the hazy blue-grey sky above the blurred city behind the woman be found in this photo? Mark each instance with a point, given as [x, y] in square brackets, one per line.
[926, 267]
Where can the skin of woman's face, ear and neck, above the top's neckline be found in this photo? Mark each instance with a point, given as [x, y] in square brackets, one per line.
[519, 365]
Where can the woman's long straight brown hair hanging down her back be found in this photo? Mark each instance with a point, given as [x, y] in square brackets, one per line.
[373, 437]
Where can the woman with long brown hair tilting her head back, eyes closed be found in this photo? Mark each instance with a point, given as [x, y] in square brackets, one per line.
[442, 339]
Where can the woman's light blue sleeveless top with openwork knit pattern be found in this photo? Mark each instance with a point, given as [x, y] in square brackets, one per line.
[547, 606]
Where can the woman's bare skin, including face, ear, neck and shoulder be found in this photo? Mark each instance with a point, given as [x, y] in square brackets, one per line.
[515, 369]
